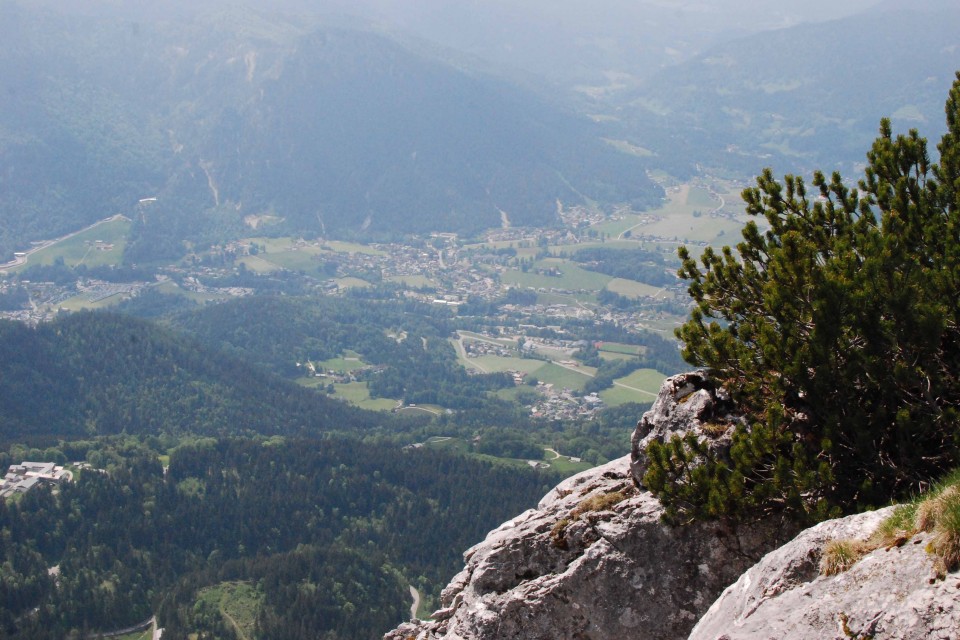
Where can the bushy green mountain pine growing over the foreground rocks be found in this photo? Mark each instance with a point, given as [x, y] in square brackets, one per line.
[837, 330]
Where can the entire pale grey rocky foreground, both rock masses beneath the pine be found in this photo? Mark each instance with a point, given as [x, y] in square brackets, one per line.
[594, 561]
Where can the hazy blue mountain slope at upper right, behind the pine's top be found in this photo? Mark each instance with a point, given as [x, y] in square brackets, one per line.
[804, 97]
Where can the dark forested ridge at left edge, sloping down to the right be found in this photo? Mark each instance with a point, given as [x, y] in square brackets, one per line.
[94, 373]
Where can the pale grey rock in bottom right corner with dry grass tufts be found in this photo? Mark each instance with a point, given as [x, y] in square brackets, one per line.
[889, 593]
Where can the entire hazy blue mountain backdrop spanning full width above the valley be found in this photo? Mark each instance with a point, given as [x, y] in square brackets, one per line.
[375, 119]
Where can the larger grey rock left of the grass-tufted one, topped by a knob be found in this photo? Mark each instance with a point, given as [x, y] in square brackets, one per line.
[594, 561]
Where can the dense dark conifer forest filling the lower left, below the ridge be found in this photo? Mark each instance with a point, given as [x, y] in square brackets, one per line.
[327, 533]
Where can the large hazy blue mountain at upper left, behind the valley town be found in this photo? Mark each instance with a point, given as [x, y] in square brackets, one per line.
[318, 129]
